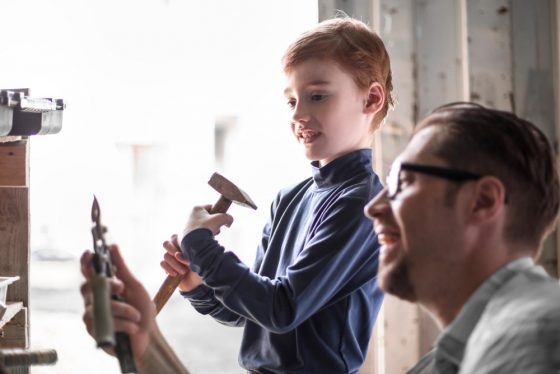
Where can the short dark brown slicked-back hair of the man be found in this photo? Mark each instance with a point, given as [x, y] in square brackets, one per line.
[494, 142]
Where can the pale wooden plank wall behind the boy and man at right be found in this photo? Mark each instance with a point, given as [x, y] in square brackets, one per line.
[501, 53]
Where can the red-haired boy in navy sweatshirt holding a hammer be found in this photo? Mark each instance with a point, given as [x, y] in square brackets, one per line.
[309, 302]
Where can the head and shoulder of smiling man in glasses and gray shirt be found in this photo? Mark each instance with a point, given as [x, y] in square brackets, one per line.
[465, 211]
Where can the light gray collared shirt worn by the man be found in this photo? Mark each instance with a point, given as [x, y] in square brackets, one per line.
[511, 324]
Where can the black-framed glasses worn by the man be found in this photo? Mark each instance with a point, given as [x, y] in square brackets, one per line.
[394, 177]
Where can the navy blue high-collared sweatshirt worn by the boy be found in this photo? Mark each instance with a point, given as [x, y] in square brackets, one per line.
[310, 301]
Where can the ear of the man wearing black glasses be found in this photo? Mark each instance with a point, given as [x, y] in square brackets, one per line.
[489, 198]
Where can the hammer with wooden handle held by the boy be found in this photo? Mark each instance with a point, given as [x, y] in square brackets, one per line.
[229, 193]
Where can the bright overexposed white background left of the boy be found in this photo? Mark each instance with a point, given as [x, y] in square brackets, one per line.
[150, 76]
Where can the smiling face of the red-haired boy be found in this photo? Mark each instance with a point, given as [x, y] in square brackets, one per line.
[329, 113]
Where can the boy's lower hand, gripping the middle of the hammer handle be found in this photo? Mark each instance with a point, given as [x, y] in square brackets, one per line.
[175, 264]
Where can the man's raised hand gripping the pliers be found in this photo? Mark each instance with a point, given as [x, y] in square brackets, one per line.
[136, 316]
